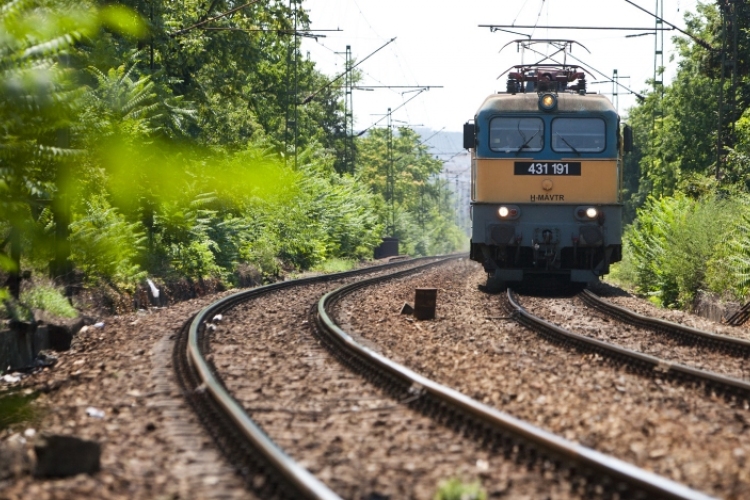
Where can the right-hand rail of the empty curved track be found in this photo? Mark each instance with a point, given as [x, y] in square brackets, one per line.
[523, 433]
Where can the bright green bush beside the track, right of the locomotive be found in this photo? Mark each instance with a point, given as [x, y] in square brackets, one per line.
[679, 246]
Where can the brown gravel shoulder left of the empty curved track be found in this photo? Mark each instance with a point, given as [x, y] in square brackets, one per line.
[152, 446]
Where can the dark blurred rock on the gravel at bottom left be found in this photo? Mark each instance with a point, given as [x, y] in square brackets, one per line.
[62, 456]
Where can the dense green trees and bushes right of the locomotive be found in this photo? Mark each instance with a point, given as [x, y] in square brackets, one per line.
[688, 180]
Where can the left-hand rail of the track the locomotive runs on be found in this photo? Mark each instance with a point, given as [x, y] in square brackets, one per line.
[644, 361]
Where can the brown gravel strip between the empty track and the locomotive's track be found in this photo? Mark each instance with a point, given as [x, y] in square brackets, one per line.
[676, 431]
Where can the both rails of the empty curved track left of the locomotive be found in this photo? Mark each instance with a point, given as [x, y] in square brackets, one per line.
[270, 472]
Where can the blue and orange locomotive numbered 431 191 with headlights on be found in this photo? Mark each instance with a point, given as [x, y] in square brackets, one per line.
[546, 171]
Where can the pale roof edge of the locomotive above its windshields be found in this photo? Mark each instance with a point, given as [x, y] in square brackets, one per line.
[529, 102]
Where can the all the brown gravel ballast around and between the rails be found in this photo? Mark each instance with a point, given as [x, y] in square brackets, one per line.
[350, 433]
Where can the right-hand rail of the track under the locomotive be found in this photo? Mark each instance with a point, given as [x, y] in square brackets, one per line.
[681, 332]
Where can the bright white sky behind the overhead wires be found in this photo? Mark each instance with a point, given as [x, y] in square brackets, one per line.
[439, 44]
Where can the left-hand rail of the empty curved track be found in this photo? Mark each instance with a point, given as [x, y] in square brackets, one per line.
[305, 484]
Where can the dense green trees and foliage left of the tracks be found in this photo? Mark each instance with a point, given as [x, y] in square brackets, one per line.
[186, 140]
